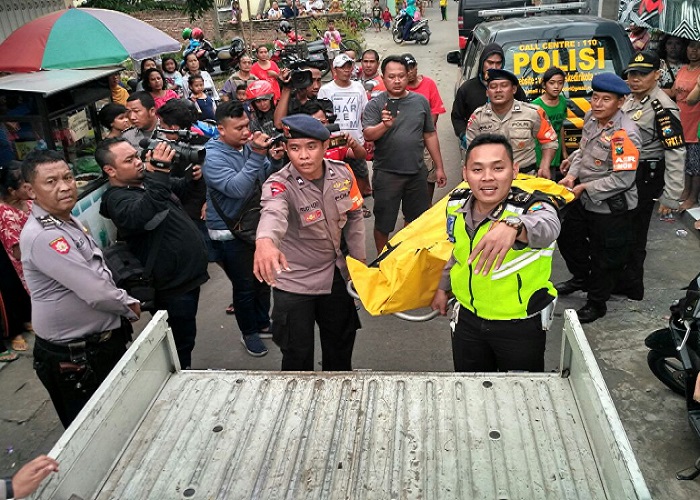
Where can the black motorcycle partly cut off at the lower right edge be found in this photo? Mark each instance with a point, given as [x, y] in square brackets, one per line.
[674, 358]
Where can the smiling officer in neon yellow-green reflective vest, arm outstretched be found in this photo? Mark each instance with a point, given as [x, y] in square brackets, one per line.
[500, 267]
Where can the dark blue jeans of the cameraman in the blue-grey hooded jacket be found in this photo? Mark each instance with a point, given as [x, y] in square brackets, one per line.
[251, 299]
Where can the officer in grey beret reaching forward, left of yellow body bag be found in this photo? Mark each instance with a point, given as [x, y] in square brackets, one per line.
[306, 208]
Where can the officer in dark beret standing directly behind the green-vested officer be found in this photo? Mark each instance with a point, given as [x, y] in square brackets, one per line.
[521, 123]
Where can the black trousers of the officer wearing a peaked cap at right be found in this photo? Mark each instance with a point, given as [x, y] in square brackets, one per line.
[650, 185]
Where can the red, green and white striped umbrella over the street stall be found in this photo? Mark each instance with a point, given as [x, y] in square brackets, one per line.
[81, 38]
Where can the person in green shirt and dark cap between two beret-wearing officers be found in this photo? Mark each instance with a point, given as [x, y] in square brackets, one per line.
[554, 105]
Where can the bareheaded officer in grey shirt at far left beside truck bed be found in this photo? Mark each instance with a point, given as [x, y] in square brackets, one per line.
[77, 310]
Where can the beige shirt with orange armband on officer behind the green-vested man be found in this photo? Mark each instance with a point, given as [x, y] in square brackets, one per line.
[524, 126]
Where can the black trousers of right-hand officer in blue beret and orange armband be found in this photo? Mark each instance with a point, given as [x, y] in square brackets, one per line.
[595, 248]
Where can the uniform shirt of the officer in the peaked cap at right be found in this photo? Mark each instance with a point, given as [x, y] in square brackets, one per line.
[642, 113]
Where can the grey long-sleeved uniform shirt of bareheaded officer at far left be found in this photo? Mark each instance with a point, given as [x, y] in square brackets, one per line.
[73, 294]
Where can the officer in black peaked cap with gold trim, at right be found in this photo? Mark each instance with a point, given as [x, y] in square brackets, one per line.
[661, 161]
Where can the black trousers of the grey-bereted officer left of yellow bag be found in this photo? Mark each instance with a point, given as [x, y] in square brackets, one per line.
[293, 319]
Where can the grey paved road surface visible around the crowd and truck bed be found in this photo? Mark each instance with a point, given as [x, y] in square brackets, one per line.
[653, 417]
